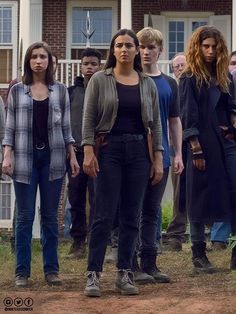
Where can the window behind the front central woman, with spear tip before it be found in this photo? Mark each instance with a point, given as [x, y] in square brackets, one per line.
[103, 20]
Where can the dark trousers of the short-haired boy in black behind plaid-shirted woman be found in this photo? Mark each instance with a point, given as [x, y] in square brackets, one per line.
[77, 191]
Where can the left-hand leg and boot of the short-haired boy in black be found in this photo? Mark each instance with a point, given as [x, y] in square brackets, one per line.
[77, 189]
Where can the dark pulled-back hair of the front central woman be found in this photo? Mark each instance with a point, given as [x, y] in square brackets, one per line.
[111, 60]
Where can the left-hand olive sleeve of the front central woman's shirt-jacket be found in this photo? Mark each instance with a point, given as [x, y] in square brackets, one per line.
[90, 111]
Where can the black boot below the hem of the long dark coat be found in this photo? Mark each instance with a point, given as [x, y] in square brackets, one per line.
[200, 260]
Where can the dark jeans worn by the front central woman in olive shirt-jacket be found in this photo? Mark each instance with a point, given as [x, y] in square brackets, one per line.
[124, 172]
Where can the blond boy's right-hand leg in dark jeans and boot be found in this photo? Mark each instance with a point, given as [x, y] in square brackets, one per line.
[149, 225]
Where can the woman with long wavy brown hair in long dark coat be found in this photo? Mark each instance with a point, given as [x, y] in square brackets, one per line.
[209, 124]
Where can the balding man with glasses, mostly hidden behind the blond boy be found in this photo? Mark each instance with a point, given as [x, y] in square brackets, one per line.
[175, 233]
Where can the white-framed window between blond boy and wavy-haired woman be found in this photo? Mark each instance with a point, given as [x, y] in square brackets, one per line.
[179, 31]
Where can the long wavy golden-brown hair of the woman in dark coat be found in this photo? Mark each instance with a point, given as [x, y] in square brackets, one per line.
[195, 61]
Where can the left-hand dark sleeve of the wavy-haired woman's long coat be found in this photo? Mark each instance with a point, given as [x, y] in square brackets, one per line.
[189, 107]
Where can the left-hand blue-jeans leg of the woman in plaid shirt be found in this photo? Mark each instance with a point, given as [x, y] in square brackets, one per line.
[24, 223]
